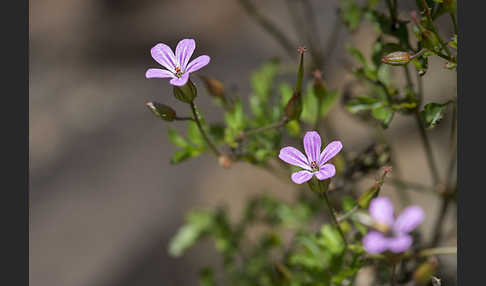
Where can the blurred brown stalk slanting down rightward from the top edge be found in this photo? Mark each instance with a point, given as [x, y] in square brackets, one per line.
[269, 26]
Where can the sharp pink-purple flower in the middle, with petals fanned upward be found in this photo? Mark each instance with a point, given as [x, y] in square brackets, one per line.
[315, 162]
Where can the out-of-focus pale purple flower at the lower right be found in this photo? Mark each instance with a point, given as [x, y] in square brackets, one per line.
[394, 233]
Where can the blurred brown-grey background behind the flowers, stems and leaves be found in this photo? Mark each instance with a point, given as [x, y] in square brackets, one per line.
[104, 198]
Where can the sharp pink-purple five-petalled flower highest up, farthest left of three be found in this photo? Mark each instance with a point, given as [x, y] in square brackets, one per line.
[177, 66]
